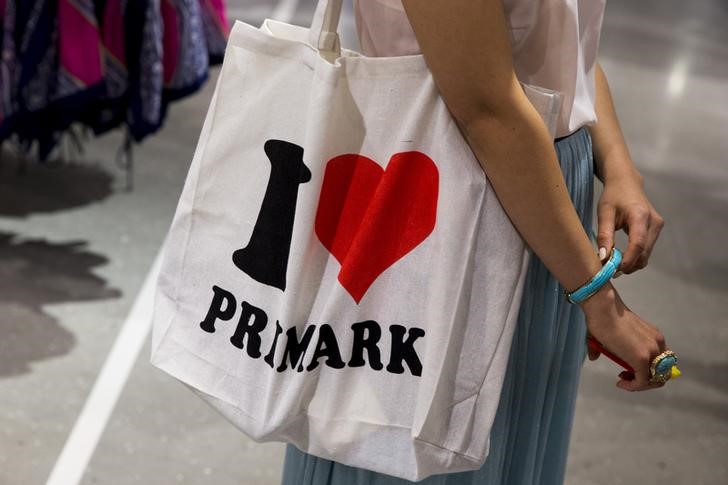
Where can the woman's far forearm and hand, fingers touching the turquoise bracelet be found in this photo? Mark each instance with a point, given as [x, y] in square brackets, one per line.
[623, 204]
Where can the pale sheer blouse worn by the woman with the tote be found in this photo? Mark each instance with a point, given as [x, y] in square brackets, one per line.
[554, 45]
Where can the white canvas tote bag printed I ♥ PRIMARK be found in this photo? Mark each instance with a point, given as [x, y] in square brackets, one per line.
[339, 274]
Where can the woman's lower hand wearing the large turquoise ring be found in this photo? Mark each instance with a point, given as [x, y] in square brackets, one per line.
[625, 334]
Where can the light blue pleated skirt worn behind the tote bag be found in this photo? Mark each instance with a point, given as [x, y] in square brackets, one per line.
[530, 435]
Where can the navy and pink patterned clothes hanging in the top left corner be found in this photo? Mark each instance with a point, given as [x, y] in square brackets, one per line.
[101, 63]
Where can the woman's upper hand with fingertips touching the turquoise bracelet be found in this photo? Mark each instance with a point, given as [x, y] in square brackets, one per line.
[623, 205]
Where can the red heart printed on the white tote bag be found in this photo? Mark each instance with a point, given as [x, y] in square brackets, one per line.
[369, 218]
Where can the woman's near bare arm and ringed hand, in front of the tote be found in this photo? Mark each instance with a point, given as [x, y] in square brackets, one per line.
[466, 46]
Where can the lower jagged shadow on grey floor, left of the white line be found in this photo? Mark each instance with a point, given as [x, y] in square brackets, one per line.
[34, 273]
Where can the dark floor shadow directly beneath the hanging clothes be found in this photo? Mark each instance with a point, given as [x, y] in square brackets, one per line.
[49, 187]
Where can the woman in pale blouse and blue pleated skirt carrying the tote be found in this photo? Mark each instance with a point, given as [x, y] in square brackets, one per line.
[477, 52]
